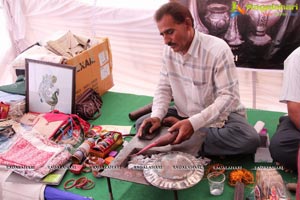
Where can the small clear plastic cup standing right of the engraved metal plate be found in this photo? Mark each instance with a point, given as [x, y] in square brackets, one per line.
[216, 183]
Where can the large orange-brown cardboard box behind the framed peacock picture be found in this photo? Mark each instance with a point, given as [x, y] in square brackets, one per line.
[93, 68]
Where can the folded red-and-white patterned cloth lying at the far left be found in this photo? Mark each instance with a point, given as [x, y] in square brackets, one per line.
[33, 156]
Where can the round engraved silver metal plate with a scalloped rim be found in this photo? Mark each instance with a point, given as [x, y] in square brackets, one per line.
[173, 170]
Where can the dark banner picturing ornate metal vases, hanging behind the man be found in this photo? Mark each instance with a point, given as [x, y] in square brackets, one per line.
[261, 33]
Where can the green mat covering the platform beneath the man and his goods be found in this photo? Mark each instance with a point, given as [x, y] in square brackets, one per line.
[115, 111]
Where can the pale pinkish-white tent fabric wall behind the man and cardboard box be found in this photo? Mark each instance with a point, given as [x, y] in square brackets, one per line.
[135, 42]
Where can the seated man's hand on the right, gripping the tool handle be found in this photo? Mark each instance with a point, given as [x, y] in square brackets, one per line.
[185, 129]
